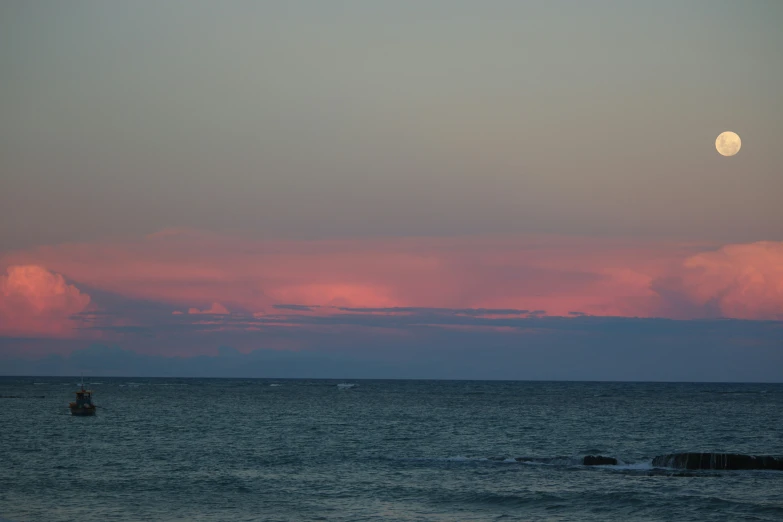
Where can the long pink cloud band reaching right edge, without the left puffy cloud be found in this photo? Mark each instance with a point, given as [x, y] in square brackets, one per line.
[560, 275]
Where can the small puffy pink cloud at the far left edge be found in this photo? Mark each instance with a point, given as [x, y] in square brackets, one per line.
[35, 301]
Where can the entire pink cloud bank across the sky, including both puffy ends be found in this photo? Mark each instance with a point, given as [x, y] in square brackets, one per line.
[201, 282]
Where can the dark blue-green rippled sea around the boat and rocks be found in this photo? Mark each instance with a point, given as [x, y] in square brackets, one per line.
[224, 450]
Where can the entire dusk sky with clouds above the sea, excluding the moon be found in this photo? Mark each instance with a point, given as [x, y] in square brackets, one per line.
[378, 182]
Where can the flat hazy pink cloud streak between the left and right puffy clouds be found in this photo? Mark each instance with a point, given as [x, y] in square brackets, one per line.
[186, 268]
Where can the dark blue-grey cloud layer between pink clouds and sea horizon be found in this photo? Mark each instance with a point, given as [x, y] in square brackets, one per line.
[362, 346]
